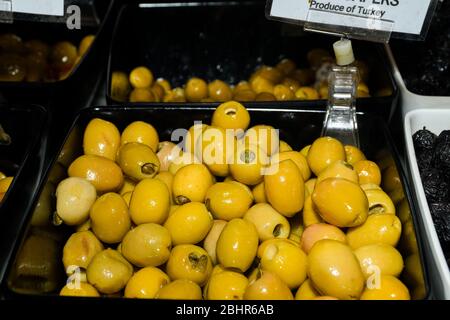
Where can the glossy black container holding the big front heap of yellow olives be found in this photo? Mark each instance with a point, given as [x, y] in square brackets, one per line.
[297, 127]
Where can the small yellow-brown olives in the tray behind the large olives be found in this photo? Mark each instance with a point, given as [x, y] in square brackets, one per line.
[282, 82]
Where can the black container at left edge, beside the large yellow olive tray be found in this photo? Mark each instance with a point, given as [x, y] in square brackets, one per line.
[23, 159]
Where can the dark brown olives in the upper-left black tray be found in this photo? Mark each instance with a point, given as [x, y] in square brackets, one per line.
[35, 60]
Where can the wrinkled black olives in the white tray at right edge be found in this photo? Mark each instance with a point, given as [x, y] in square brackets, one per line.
[433, 159]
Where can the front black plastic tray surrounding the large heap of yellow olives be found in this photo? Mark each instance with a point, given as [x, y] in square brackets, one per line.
[297, 127]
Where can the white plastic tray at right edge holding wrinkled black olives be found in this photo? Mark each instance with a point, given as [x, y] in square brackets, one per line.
[435, 120]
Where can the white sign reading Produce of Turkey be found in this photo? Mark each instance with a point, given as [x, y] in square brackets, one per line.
[400, 16]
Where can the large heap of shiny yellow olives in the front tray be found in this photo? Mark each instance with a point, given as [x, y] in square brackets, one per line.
[233, 213]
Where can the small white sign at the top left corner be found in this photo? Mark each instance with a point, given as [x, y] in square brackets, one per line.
[44, 7]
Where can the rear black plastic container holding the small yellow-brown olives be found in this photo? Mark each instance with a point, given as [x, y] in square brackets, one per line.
[228, 41]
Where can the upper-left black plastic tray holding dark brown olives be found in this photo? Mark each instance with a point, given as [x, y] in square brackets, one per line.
[85, 74]
